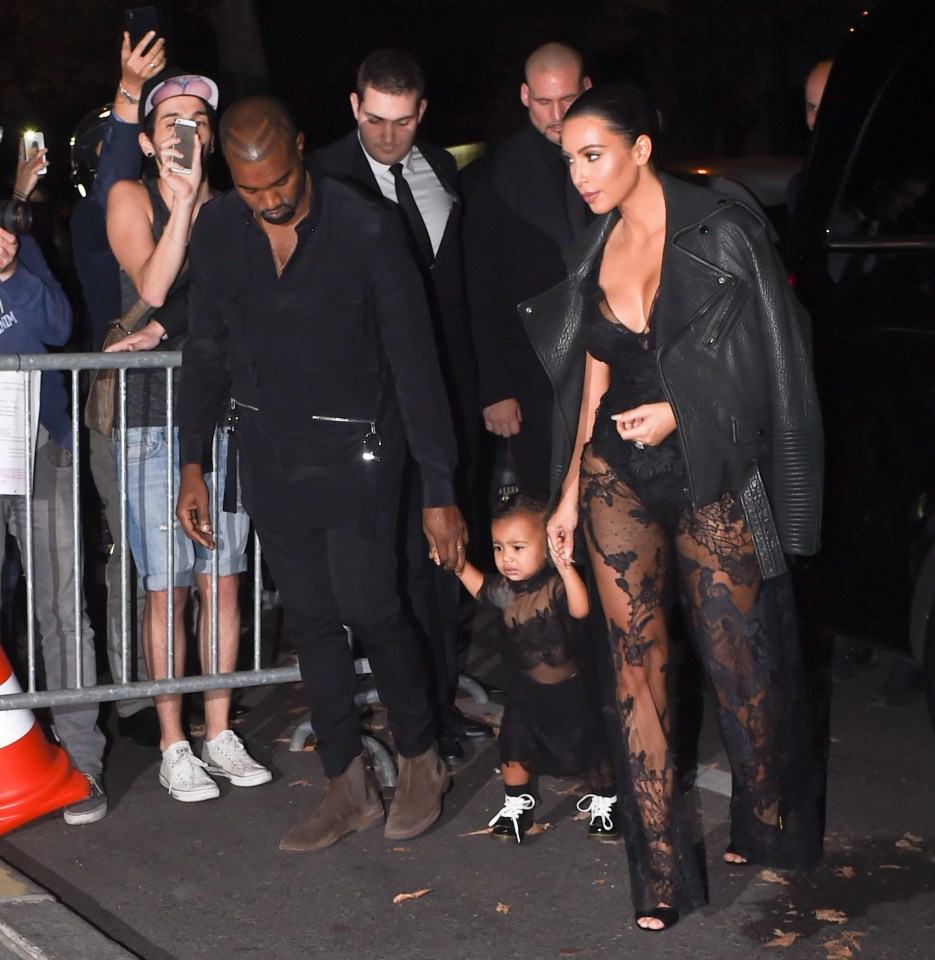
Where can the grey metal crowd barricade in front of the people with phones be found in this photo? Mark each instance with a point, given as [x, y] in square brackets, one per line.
[84, 691]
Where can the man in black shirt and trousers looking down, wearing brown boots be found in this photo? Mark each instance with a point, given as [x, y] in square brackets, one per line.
[305, 298]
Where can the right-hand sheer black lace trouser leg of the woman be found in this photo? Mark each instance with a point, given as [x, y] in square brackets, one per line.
[741, 641]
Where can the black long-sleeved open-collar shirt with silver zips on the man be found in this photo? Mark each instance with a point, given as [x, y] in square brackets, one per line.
[344, 332]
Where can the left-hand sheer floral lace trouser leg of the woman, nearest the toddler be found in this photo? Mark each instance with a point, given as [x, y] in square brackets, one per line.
[630, 554]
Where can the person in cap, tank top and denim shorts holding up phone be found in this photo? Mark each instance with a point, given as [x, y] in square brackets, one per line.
[148, 225]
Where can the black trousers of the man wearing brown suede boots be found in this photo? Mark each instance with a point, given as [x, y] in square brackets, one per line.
[331, 576]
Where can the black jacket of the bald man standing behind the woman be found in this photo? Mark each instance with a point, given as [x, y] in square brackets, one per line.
[516, 225]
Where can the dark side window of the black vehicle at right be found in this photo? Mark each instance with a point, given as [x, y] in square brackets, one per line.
[881, 234]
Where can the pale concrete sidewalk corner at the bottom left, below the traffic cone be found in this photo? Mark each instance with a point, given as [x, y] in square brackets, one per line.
[34, 925]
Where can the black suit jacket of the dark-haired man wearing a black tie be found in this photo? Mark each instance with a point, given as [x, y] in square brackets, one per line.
[444, 281]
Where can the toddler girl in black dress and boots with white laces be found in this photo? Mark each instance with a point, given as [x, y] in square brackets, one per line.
[552, 722]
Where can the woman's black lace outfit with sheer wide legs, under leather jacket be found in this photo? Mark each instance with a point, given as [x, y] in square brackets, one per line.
[640, 529]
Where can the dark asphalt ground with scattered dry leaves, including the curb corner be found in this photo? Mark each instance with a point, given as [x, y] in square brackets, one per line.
[162, 880]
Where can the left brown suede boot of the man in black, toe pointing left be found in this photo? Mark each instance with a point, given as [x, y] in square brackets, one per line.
[351, 802]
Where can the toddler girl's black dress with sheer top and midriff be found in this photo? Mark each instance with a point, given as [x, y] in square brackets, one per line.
[552, 722]
